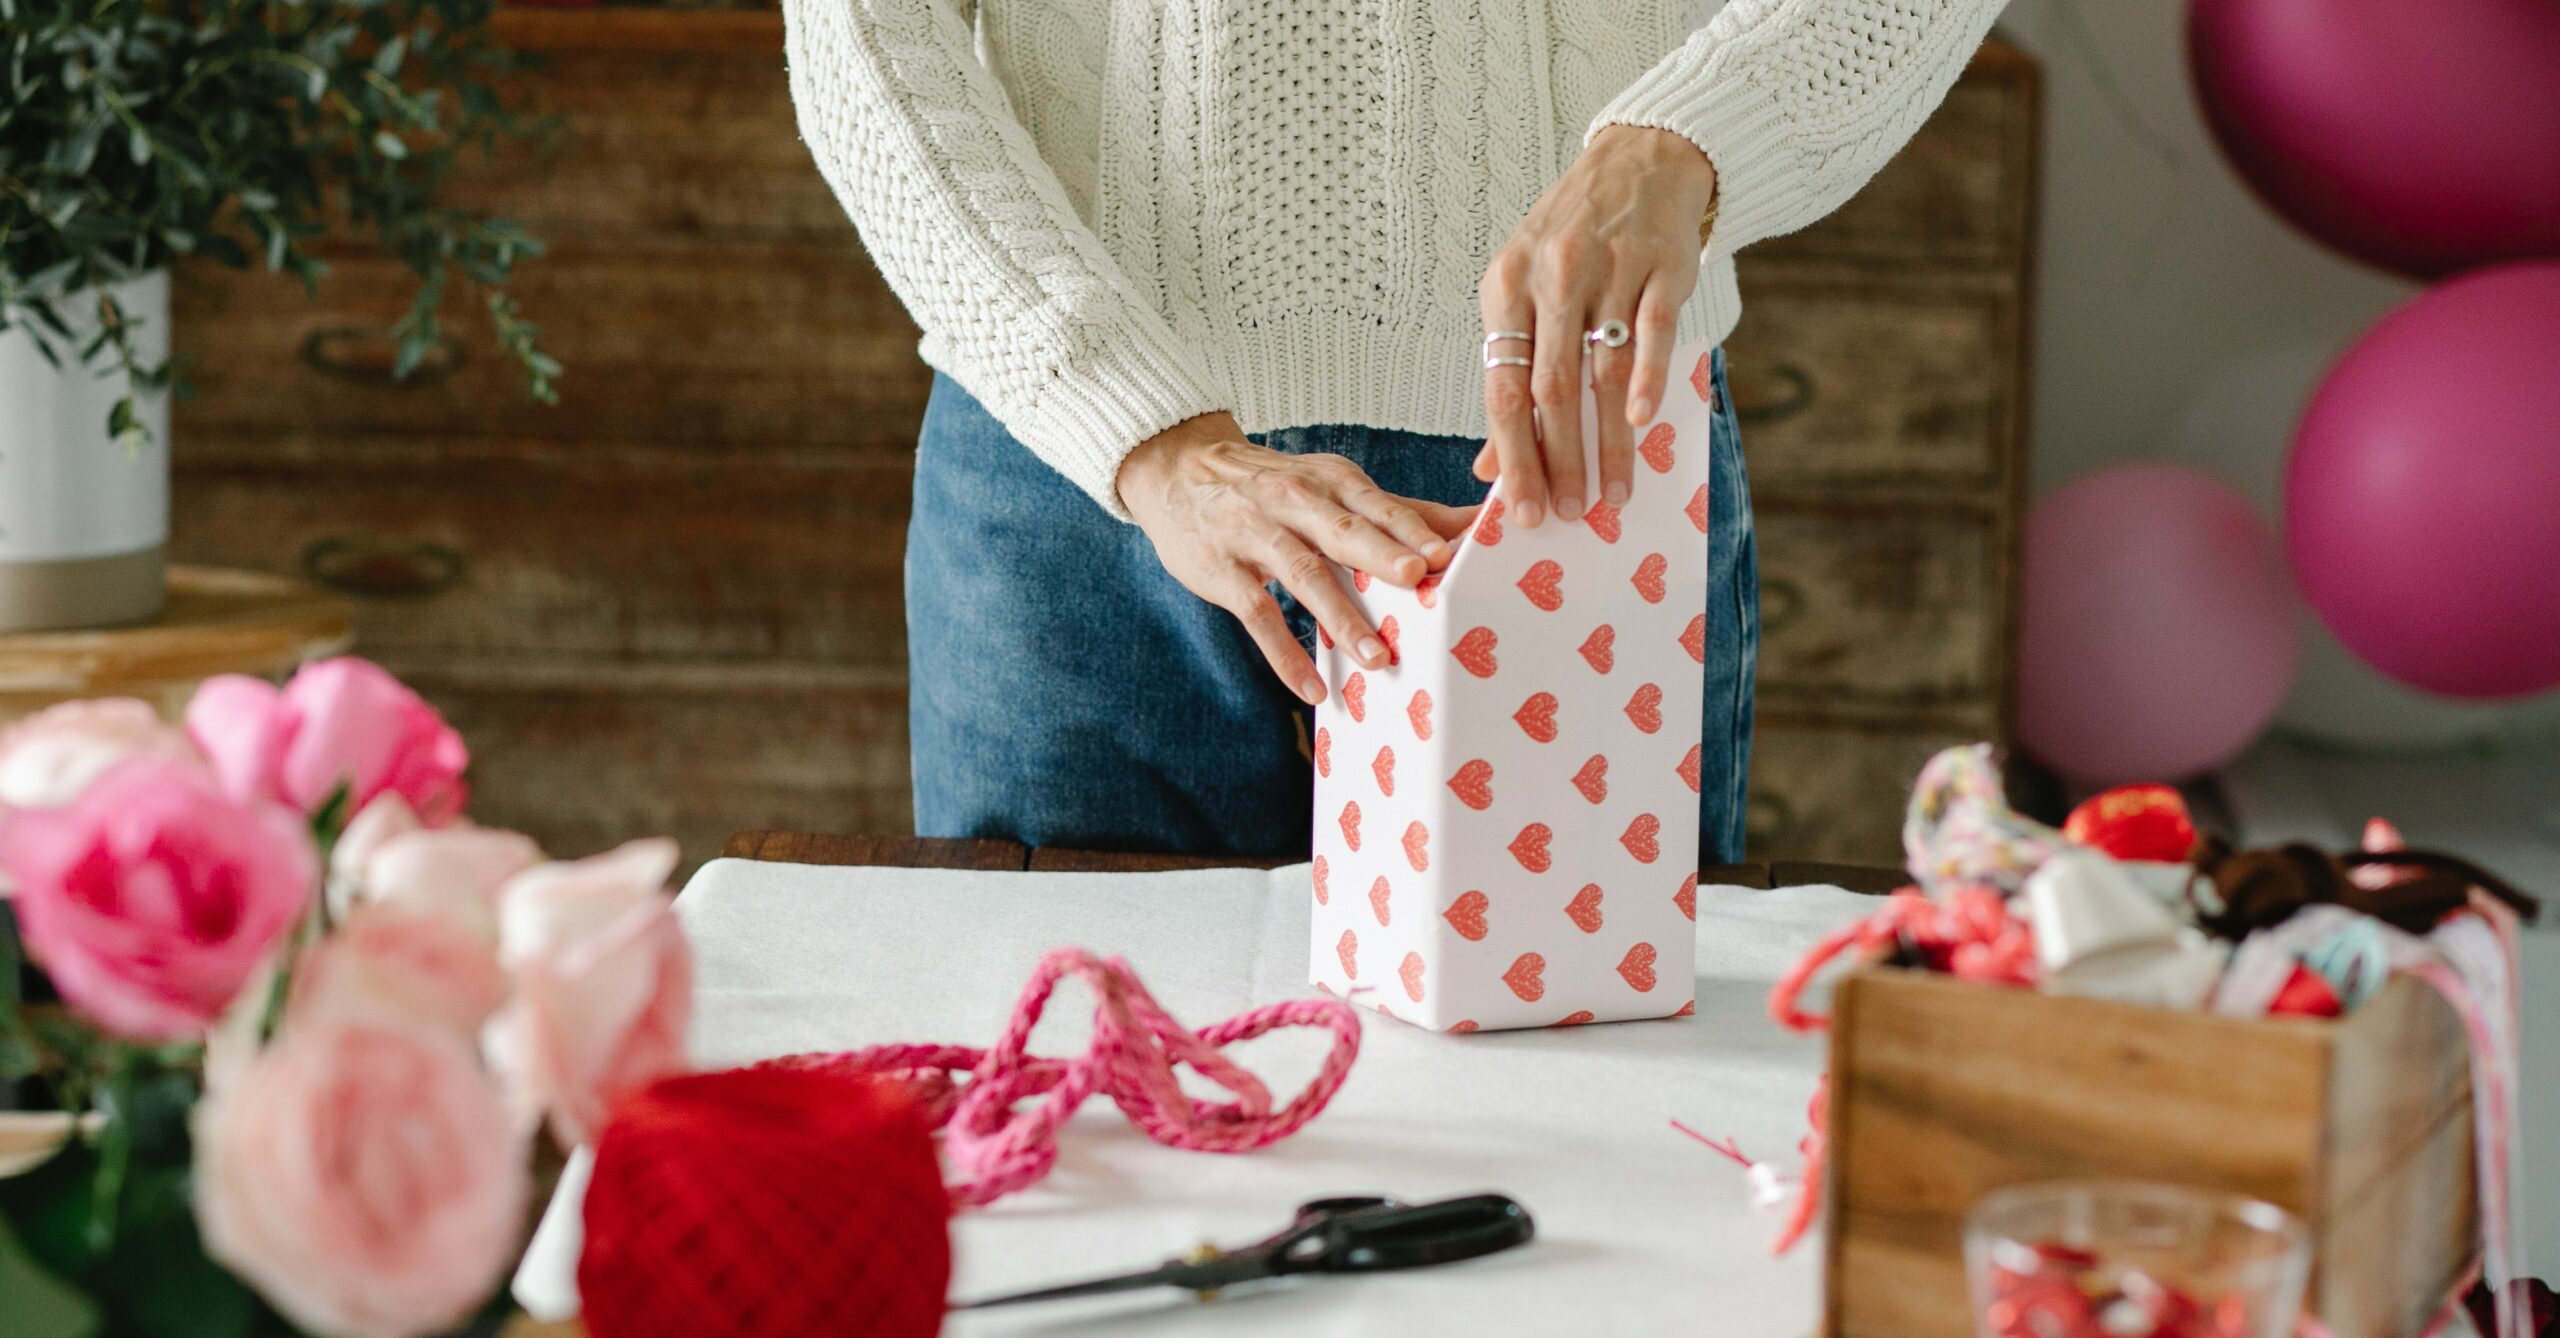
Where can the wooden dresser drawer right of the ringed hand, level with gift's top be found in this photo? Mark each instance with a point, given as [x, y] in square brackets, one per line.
[1870, 382]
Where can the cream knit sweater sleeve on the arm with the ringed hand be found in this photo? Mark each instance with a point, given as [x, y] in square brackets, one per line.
[1801, 101]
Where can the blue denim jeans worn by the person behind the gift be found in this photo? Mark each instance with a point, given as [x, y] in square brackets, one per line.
[1066, 692]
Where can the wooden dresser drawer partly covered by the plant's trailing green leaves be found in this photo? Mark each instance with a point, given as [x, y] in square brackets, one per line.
[718, 349]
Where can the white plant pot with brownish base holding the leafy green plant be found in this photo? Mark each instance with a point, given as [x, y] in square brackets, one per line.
[83, 521]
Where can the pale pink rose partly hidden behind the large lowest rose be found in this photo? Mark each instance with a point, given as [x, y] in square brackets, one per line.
[401, 963]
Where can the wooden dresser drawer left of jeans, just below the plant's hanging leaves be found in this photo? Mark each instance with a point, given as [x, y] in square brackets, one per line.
[567, 554]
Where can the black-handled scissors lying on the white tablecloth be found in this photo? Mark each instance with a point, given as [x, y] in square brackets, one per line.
[1330, 1237]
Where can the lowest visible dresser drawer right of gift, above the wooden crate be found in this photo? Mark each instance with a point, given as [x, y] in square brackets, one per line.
[1834, 792]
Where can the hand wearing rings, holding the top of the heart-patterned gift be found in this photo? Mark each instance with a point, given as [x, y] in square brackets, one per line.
[1617, 239]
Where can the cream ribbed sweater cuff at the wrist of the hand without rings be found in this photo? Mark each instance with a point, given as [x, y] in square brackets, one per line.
[1097, 405]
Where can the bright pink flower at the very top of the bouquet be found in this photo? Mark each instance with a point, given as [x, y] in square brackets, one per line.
[337, 723]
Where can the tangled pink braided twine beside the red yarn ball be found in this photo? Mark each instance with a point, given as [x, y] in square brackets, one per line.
[989, 1147]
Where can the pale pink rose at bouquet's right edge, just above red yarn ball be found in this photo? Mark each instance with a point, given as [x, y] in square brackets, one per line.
[603, 976]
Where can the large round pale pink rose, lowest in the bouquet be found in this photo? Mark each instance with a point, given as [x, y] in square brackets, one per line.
[365, 1178]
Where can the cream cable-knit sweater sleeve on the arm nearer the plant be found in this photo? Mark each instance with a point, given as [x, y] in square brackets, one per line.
[1015, 293]
